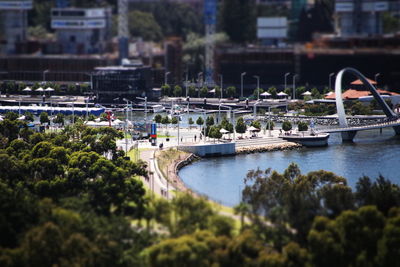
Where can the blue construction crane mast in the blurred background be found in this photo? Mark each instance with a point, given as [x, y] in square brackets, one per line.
[210, 19]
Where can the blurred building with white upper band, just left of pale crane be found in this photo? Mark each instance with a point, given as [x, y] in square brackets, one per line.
[82, 30]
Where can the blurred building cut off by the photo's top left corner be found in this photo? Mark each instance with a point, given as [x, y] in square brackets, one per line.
[13, 24]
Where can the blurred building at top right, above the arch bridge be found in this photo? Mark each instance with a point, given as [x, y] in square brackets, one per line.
[359, 17]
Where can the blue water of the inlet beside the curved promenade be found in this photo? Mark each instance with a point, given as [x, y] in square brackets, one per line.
[371, 154]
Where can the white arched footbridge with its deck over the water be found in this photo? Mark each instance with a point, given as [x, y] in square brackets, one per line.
[348, 132]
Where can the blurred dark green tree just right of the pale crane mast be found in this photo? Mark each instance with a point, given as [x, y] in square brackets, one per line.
[143, 24]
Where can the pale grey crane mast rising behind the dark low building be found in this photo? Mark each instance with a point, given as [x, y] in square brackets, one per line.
[123, 32]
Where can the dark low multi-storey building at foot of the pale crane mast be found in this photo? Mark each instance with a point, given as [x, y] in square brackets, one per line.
[112, 84]
